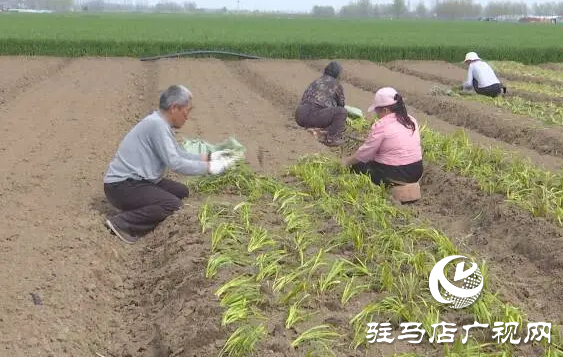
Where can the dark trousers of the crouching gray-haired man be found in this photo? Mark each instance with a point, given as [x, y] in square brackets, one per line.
[144, 204]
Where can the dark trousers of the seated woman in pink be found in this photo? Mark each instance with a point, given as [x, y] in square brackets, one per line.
[381, 173]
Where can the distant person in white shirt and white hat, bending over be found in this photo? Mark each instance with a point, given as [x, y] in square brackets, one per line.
[481, 77]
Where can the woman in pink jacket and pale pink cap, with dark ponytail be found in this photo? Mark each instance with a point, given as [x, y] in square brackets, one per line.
[392, 152]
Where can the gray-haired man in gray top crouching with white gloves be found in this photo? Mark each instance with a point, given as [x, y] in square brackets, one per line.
[134, 180]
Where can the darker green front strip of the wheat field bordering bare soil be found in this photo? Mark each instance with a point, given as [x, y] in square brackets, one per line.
[62, 47]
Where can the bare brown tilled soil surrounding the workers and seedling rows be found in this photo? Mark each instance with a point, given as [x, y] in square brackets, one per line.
[72, 289]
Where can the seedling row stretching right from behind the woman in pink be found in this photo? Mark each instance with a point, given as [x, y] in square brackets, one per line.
[538, 191]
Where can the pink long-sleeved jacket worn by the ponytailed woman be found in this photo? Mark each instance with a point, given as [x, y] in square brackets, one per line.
[391, 143]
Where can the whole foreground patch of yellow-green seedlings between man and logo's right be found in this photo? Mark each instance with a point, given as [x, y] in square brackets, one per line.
[378, 254]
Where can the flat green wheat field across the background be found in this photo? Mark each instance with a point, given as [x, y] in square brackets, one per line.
[270, 36]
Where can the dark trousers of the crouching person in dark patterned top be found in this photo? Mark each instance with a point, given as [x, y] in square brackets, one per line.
[313, 116]
